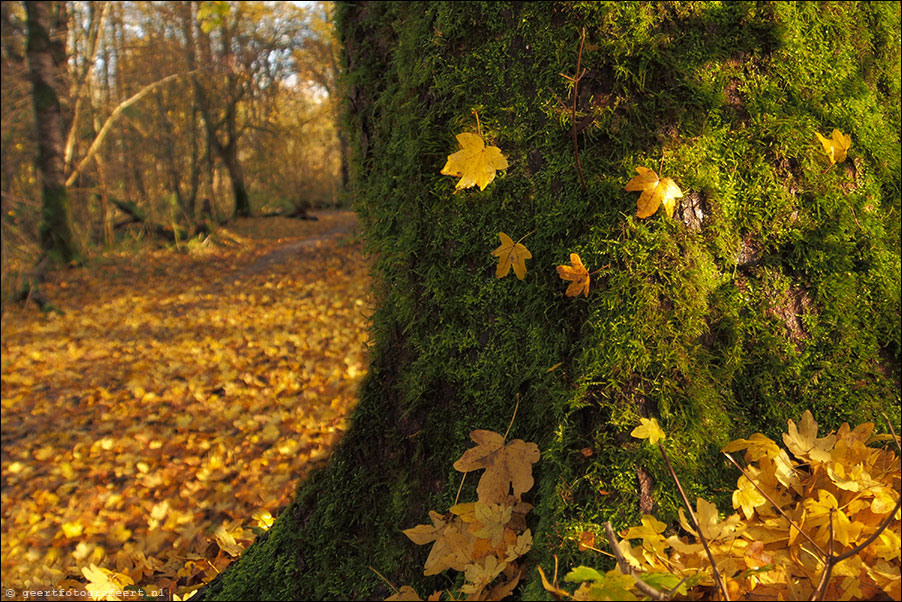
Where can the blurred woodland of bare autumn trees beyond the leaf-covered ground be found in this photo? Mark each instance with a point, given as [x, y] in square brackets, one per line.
[174, 114]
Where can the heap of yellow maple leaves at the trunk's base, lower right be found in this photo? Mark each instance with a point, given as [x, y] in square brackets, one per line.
[819, 519]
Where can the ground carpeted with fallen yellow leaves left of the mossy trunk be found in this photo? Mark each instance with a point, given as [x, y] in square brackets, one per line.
[156, 425]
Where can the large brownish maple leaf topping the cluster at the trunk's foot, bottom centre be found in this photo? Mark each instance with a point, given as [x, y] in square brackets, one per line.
[506, 466]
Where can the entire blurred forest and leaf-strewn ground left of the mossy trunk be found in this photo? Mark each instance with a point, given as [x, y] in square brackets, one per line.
[180, 343]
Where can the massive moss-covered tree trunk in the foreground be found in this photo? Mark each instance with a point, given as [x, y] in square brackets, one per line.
[774, 289]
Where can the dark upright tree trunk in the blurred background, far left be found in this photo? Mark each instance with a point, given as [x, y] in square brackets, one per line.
[45, 63]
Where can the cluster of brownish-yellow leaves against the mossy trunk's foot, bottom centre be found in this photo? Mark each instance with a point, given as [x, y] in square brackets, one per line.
[483, 539]
